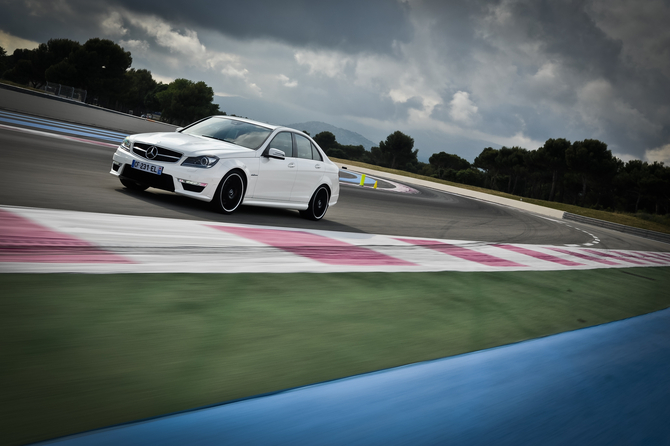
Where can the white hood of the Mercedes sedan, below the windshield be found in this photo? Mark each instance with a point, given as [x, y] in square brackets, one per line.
[190, 144]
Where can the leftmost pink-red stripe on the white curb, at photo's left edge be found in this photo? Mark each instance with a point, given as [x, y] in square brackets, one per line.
[25, 241]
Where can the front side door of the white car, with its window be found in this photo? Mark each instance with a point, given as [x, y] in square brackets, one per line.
[276, 177]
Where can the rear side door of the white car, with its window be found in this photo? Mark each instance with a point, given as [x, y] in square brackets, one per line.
[310, 169]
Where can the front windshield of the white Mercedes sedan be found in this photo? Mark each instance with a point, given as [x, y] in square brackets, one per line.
[241, 133]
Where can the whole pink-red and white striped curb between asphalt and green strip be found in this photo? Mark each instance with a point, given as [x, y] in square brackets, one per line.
[50, 241]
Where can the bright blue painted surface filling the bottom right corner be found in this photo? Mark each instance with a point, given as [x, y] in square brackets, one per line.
[603, 385]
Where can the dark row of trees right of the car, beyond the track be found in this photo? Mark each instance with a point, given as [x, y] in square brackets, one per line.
[582, 173]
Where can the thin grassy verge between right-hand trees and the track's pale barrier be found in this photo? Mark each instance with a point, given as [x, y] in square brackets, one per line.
[643, 221]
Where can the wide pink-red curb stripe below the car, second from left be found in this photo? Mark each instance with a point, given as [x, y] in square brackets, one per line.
[315, 247]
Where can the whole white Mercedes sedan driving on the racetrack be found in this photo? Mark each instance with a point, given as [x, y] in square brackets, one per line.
[231, 161]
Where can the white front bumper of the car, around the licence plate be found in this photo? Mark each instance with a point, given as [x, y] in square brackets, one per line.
[193, 182]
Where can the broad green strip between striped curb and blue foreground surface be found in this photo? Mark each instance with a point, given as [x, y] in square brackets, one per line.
[86, 351]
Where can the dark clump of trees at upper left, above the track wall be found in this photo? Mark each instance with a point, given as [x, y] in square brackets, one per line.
[103, 69]
